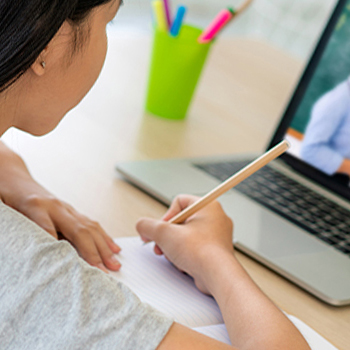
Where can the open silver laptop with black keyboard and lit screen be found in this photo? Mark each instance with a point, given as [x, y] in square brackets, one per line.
[293, 215]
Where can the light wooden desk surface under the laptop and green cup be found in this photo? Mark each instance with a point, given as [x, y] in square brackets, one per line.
[240, 99]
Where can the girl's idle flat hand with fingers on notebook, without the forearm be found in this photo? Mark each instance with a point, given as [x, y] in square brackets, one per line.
[54, 216]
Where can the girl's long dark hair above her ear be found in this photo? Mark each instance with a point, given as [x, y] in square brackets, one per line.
[26, 28]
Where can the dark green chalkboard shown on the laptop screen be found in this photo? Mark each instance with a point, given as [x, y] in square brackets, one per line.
[333, 69]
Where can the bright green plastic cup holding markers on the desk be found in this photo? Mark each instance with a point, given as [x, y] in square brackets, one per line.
[176, 66]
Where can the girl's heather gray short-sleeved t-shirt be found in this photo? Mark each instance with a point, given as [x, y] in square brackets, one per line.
[51, 299]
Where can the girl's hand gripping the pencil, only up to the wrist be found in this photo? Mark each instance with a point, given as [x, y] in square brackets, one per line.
[192, 246]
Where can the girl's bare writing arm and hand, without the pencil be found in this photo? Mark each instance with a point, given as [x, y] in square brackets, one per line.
[202, 247]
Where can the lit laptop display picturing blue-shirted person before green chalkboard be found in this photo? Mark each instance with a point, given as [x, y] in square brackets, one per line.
[320, 128]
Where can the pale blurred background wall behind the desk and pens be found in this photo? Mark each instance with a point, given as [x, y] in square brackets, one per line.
[293, 25]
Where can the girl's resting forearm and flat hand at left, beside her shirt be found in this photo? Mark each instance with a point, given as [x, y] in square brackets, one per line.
[19, 191]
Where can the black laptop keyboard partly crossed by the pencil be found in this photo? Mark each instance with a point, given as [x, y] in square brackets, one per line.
[316, 214]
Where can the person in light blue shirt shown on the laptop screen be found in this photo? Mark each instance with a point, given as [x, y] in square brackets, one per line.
[326, 143]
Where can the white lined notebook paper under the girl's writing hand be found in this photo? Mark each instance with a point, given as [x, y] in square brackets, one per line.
[157, 282]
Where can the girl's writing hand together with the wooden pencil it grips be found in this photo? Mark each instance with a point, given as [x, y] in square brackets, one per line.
[187, 246]
